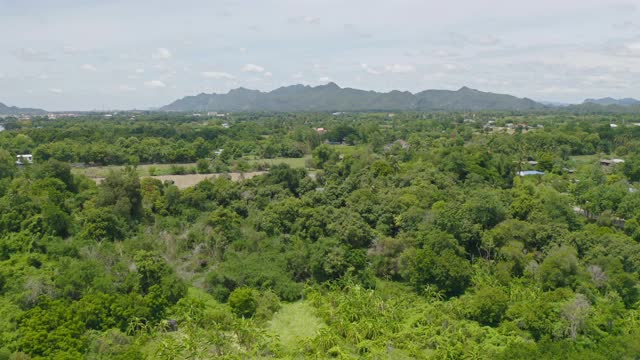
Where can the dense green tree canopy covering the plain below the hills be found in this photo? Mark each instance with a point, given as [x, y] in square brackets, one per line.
[405, 235]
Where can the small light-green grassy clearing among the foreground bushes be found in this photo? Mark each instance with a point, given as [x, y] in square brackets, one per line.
[295, 321]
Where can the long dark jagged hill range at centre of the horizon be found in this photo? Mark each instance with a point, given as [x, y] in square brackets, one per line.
[331, 97]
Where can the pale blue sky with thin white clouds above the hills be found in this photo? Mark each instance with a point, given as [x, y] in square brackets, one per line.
[138, 54]
